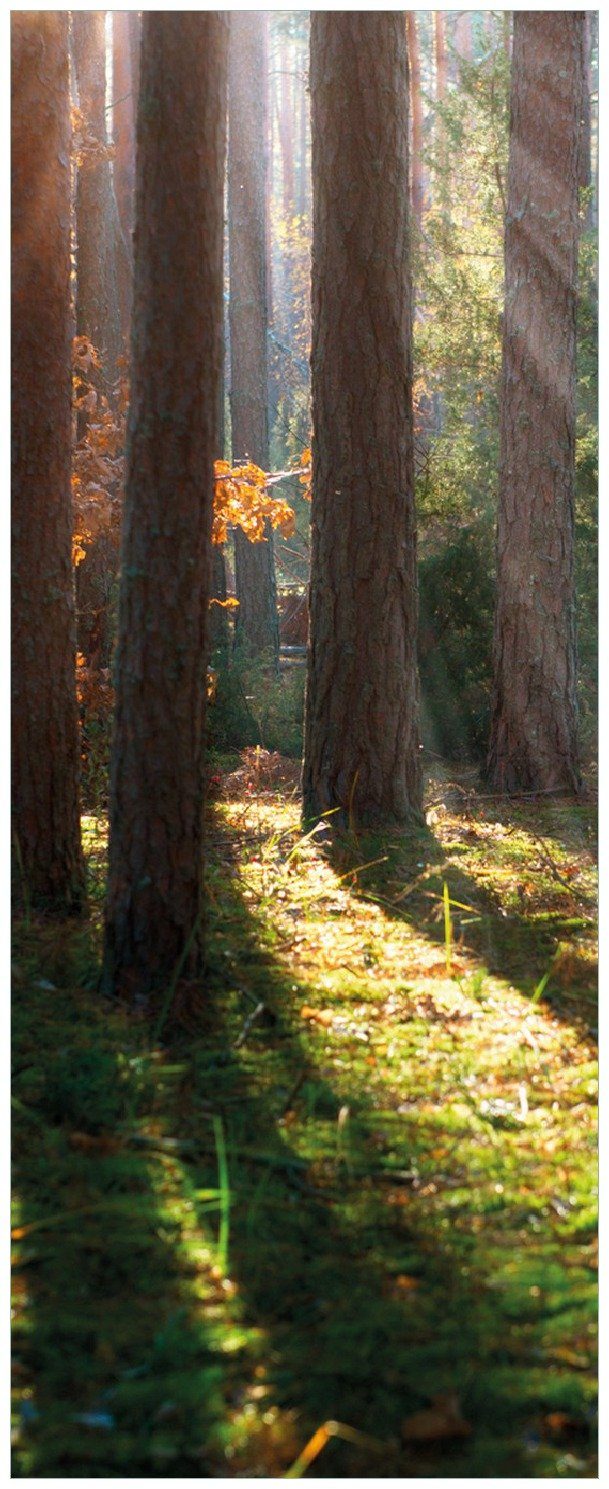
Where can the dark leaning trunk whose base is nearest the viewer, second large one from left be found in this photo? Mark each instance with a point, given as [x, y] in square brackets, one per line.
[154, 897]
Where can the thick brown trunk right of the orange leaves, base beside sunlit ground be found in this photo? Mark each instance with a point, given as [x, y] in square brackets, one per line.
[361, 715]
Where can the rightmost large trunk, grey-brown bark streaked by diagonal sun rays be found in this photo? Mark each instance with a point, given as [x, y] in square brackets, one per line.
[534, 730]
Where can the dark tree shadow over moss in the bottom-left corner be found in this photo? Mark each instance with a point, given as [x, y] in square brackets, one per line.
[115, 1368]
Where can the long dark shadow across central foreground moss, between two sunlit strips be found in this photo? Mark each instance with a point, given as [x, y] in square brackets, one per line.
[366, 1319]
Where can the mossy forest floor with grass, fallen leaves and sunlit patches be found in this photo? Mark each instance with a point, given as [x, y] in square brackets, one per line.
[339, 1214]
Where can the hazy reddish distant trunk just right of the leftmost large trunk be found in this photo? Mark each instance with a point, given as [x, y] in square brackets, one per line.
[98, 296]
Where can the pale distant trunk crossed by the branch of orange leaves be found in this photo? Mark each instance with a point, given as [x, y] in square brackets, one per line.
[255, 575]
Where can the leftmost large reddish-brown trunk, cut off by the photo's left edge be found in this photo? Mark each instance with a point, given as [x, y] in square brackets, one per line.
[45, 745]
